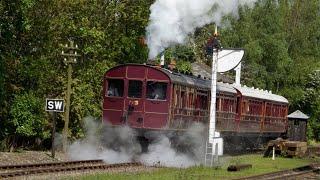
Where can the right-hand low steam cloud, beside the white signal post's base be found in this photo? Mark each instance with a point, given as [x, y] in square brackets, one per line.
[187, 150]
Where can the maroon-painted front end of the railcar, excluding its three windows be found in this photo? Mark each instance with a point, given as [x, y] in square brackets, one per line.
[146, 113]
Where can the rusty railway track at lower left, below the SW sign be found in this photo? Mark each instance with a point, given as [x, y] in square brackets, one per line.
[11, 171]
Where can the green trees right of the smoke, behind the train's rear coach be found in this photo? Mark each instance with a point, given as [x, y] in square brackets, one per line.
[281, 42]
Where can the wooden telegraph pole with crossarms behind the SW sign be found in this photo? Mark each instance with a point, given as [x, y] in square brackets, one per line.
[70, 55]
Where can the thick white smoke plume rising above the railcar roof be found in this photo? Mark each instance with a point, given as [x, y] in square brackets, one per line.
[172, 20]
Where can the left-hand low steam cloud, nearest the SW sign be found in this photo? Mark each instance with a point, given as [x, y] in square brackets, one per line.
[103, 142]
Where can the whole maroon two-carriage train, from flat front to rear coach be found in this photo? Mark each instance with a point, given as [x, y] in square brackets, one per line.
[151, 98]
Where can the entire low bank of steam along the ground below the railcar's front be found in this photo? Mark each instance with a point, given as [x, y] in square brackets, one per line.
[117, 145]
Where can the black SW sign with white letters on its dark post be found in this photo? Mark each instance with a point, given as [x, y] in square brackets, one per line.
[54, 105]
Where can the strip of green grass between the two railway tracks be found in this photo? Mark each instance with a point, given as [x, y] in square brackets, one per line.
[260, 165]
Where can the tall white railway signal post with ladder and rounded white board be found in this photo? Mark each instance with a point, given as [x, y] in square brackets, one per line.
[223, 60]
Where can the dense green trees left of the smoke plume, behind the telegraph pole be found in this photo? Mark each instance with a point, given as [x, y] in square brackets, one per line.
[107, 33]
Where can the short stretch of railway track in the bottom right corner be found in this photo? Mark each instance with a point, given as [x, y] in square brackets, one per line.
[311, 171]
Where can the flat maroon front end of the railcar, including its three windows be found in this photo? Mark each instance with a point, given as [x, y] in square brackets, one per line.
[129, 97]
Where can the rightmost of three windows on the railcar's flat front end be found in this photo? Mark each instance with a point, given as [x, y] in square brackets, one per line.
[156, 90]
